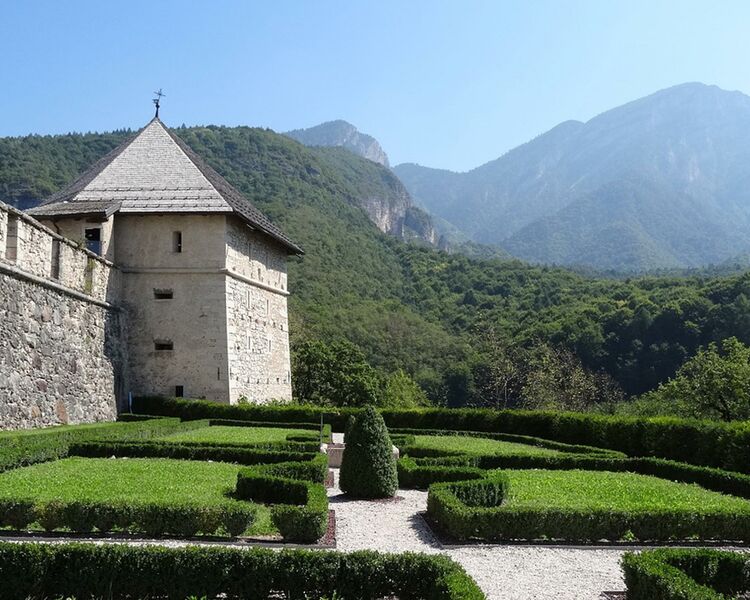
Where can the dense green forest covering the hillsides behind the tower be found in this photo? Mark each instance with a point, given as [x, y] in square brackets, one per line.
[413, 308]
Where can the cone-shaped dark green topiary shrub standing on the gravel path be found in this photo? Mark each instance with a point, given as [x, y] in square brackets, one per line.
[368, 468]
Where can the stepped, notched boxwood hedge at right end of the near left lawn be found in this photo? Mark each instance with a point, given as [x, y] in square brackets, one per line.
[295, 490]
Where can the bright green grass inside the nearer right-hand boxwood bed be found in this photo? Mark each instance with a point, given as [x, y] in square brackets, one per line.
[611, 491]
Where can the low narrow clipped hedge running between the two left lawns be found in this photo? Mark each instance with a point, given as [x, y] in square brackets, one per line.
[146, 449]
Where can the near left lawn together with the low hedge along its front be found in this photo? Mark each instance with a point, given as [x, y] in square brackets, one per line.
[150, 496]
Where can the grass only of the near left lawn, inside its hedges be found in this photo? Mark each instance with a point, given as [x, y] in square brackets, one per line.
[132, 480]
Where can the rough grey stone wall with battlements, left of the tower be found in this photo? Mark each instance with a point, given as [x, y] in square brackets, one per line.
[61, 341]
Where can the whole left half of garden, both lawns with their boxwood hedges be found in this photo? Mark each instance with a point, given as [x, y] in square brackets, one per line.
[161, 476]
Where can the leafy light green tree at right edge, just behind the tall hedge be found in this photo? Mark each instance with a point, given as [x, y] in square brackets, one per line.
[715, 383]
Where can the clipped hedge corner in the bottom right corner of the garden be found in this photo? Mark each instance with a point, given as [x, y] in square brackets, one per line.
[672, 574]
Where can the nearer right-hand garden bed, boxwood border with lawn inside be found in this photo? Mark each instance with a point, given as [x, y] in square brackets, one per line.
[584, 506]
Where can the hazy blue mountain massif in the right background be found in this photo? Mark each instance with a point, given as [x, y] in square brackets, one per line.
[661, 182]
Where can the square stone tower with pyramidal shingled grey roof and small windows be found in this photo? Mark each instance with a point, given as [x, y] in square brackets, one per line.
[203, 284]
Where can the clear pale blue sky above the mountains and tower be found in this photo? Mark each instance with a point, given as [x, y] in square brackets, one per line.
[444, 84]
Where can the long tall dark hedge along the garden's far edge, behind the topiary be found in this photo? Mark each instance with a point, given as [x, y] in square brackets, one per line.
[707, 443]
